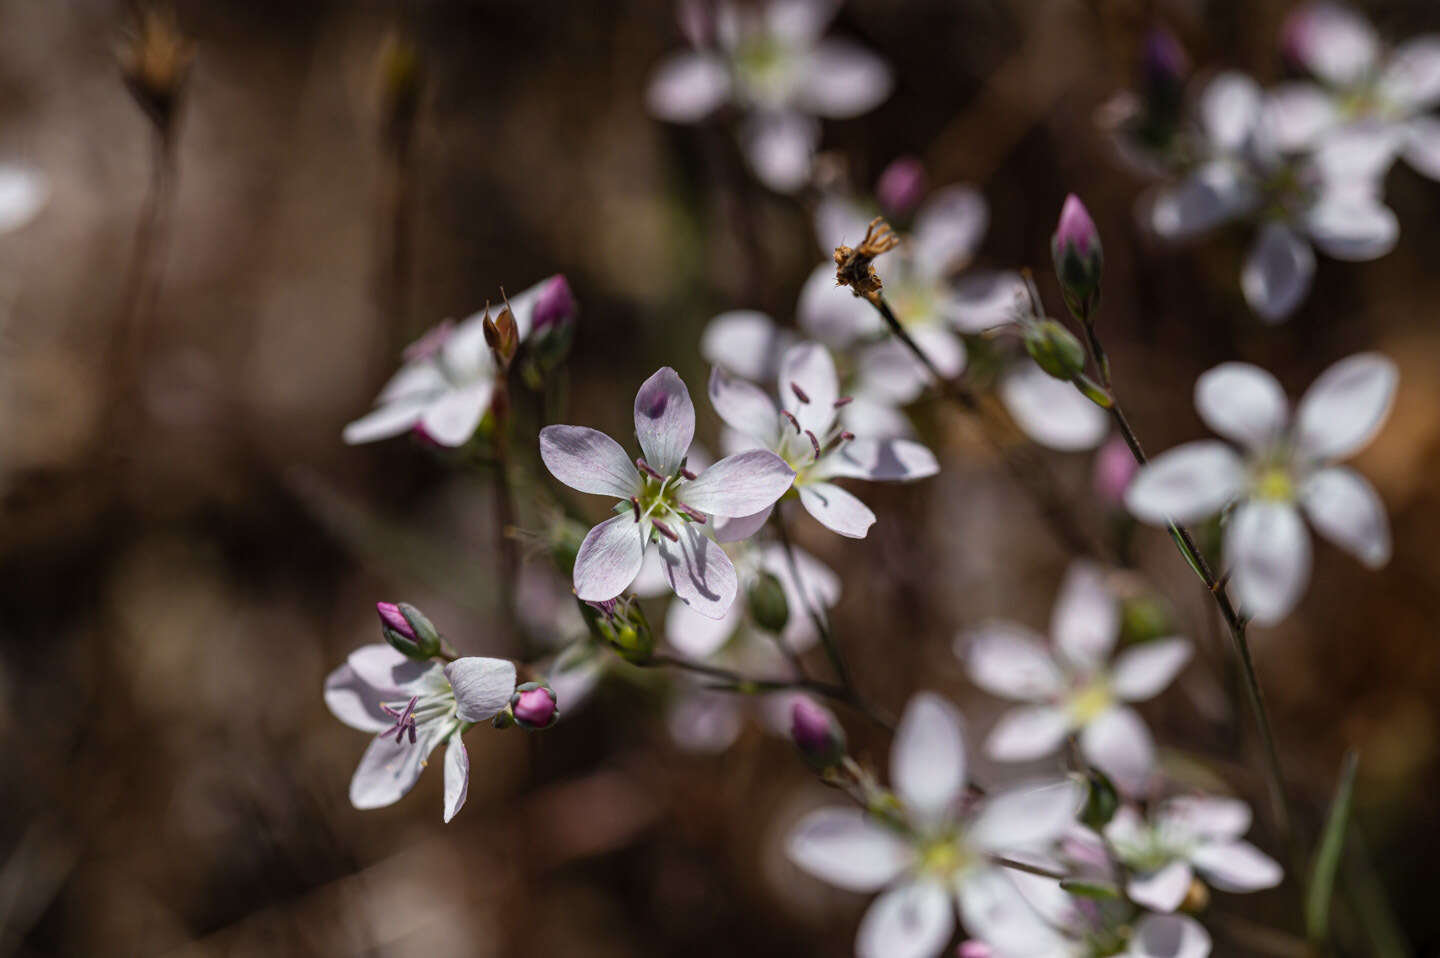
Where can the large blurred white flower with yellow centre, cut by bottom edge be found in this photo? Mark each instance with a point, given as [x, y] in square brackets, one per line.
[935, 849]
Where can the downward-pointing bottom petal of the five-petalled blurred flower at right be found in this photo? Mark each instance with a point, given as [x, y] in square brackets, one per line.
[1268, 551]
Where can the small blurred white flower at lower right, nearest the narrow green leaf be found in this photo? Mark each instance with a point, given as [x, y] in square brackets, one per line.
[1186, 836]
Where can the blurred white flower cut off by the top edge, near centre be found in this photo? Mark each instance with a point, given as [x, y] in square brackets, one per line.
[773, 63]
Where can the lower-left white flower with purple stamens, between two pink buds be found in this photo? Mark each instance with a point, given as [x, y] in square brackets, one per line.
[414, 707]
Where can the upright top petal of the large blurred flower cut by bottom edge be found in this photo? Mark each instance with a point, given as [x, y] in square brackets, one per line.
[928, 756]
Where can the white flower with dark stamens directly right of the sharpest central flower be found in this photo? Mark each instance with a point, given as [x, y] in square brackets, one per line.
[807, 436]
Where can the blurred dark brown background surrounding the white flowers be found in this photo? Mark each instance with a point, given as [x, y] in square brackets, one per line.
[186, 547]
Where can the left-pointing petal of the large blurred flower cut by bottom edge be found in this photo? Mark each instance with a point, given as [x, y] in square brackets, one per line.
[846, 849]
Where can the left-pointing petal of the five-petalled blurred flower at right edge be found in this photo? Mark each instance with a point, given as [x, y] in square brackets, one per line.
[1187, 483]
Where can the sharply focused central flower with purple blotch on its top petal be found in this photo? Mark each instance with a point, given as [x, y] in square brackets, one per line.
[660, 499]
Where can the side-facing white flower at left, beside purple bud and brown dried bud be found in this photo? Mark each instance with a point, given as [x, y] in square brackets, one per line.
[447, 382]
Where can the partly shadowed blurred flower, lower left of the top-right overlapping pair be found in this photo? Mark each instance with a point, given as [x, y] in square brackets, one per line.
[1252, 172]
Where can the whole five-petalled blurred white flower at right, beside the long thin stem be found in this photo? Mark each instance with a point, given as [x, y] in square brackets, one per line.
[1282, 470]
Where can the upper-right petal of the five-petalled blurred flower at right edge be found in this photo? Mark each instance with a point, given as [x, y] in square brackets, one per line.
[1346, 407]
